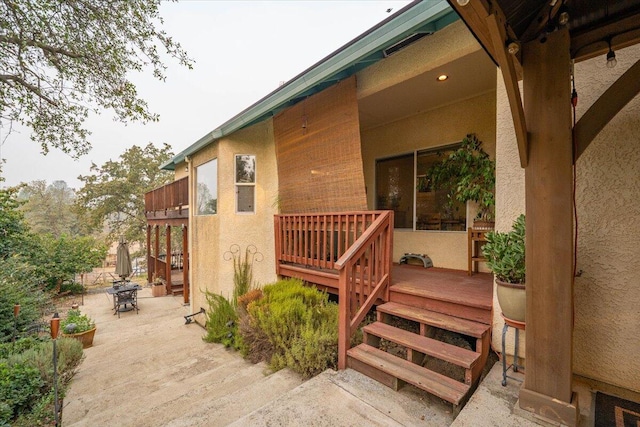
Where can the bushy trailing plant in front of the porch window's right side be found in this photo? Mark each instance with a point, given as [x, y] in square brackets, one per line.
[468, 174]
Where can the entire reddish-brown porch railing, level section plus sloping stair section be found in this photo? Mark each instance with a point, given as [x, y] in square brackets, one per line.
[357, 246]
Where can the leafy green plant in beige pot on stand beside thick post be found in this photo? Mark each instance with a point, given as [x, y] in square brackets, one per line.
[505, 254]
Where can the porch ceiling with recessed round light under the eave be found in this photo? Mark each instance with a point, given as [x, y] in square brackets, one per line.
[424, 92]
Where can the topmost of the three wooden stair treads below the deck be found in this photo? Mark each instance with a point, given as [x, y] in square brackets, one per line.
[432, 318]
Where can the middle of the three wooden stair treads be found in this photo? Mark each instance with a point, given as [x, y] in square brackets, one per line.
[438, 349]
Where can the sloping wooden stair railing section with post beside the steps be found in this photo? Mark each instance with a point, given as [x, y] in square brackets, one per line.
[364, 276]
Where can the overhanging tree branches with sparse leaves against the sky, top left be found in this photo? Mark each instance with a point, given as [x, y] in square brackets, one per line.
[62, 59]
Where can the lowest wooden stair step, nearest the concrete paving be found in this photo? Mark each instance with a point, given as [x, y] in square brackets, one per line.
[384, 367]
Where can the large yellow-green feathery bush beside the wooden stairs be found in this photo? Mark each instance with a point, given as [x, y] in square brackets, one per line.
[300, 324]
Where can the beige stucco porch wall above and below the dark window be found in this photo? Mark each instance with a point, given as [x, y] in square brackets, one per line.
[433, 128]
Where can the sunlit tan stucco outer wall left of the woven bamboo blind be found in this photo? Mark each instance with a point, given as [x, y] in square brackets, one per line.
[212, 236]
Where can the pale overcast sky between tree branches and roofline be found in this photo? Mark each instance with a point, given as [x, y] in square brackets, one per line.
[242, 51]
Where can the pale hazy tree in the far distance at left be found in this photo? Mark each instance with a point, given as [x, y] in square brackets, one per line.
[48, 208]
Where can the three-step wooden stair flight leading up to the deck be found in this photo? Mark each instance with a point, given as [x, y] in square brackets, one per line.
[394, 371]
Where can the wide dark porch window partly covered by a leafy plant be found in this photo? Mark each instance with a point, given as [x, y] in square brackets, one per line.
[402, 186]
